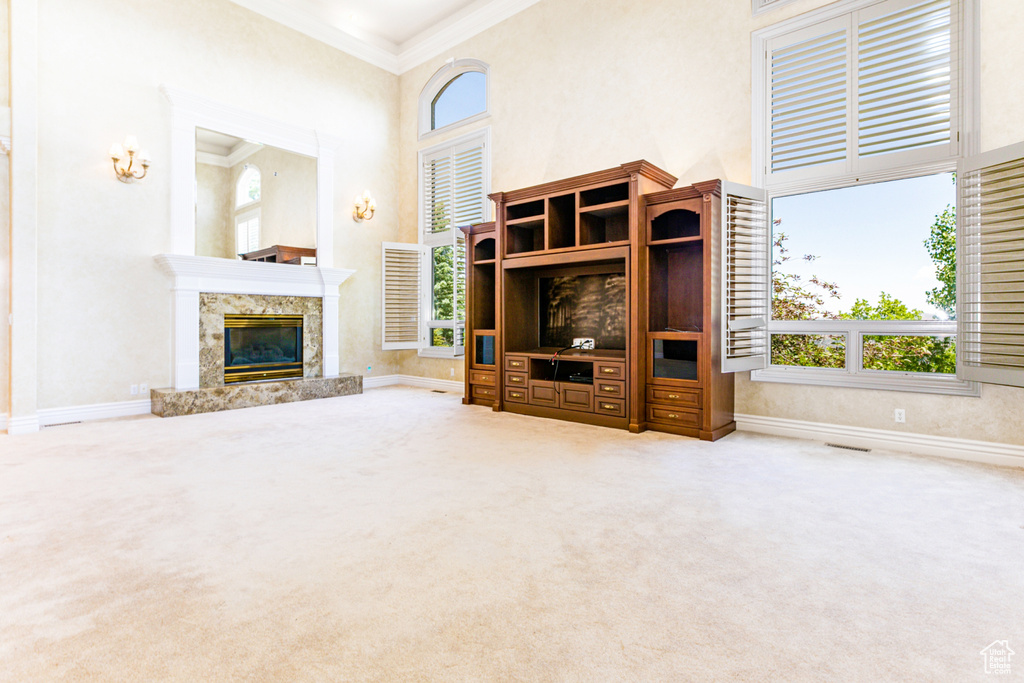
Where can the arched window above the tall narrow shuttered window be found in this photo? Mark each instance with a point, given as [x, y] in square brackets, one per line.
[456, 95]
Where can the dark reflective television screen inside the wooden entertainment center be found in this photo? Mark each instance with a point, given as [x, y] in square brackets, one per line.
[576, 307]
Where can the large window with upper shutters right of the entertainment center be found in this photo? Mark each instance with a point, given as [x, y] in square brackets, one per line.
[861, 118]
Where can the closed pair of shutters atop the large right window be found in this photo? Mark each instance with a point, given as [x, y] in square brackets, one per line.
[867, 91]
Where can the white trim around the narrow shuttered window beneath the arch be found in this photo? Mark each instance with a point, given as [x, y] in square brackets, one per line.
[445, 239]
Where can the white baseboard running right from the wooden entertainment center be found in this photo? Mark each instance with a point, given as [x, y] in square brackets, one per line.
[927, 445]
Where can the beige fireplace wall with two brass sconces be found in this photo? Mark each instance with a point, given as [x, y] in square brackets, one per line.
[105, 309]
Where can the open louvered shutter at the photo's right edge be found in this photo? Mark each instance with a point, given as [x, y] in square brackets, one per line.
[991, 271]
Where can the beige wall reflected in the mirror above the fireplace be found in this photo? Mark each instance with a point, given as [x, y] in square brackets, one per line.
[288, 198]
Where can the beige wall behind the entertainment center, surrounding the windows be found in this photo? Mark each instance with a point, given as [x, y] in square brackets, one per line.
[581, 86]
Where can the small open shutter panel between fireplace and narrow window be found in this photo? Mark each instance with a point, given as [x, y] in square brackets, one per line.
[402, 296]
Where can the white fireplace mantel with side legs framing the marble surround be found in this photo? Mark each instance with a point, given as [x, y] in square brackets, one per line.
[195, 275]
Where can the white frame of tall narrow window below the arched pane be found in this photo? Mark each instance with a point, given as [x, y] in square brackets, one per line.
[450, 238]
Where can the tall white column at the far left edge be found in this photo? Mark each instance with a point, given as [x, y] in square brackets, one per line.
[24, 217]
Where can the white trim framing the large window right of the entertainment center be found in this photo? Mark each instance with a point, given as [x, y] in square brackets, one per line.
[968, 102]
